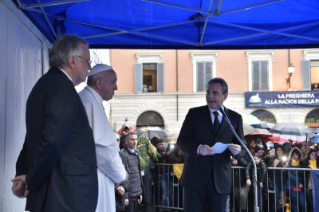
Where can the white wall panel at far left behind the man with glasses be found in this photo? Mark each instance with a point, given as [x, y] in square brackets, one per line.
[23, 57]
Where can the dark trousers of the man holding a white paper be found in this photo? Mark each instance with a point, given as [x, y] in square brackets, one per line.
[207, 199]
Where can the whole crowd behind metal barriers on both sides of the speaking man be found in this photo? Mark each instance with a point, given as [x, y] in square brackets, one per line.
[285, 186]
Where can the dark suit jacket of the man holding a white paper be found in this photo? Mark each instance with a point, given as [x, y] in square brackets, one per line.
[198, 129]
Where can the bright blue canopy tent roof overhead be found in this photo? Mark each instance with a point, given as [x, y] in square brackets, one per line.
[180, 24]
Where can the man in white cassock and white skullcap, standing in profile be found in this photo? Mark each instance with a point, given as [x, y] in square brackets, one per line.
[101, 85]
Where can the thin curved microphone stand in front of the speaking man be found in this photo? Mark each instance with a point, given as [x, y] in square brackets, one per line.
[256, 209]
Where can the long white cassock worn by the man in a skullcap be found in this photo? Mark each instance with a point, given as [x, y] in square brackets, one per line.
[110, 168]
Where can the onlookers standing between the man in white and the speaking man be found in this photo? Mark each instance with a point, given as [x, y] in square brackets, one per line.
[160, 179]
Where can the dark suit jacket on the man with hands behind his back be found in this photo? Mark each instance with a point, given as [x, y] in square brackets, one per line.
[58, 154]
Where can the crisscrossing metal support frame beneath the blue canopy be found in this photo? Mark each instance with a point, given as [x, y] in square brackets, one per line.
[209, 13]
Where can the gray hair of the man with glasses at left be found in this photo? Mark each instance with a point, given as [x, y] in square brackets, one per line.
[65, 47]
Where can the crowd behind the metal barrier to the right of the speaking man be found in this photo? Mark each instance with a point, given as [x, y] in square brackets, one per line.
[285, 185]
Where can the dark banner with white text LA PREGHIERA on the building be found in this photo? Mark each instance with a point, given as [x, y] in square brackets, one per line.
[282, 99]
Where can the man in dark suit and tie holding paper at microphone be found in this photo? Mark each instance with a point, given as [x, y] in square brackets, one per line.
[207, 176]
